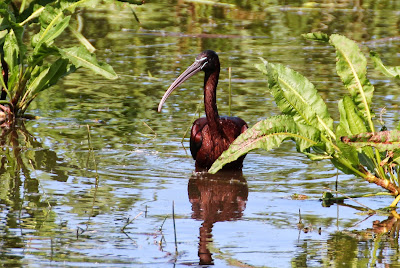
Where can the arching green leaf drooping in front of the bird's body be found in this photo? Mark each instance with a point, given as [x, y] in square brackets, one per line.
[269, 134]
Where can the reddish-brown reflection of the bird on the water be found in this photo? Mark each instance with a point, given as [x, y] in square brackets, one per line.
[216, 198]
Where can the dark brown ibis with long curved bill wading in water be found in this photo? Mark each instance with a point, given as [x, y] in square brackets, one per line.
[212, 135]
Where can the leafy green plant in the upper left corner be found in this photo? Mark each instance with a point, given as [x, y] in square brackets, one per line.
[28, 68]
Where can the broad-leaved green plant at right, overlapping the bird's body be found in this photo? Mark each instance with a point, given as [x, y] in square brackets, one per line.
[354, 146]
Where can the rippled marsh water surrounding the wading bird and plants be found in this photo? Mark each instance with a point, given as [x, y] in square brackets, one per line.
[103, 180]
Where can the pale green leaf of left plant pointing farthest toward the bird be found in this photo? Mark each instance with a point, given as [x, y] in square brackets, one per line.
[81, 57]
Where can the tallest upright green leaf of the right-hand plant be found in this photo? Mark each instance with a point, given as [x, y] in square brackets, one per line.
[351, 66]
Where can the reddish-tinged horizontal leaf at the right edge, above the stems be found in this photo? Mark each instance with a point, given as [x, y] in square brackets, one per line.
[384, 140]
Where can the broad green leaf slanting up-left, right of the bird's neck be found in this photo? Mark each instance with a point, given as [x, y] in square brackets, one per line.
[295, 95]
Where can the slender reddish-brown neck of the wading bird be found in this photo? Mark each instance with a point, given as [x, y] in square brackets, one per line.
[210, 101]
